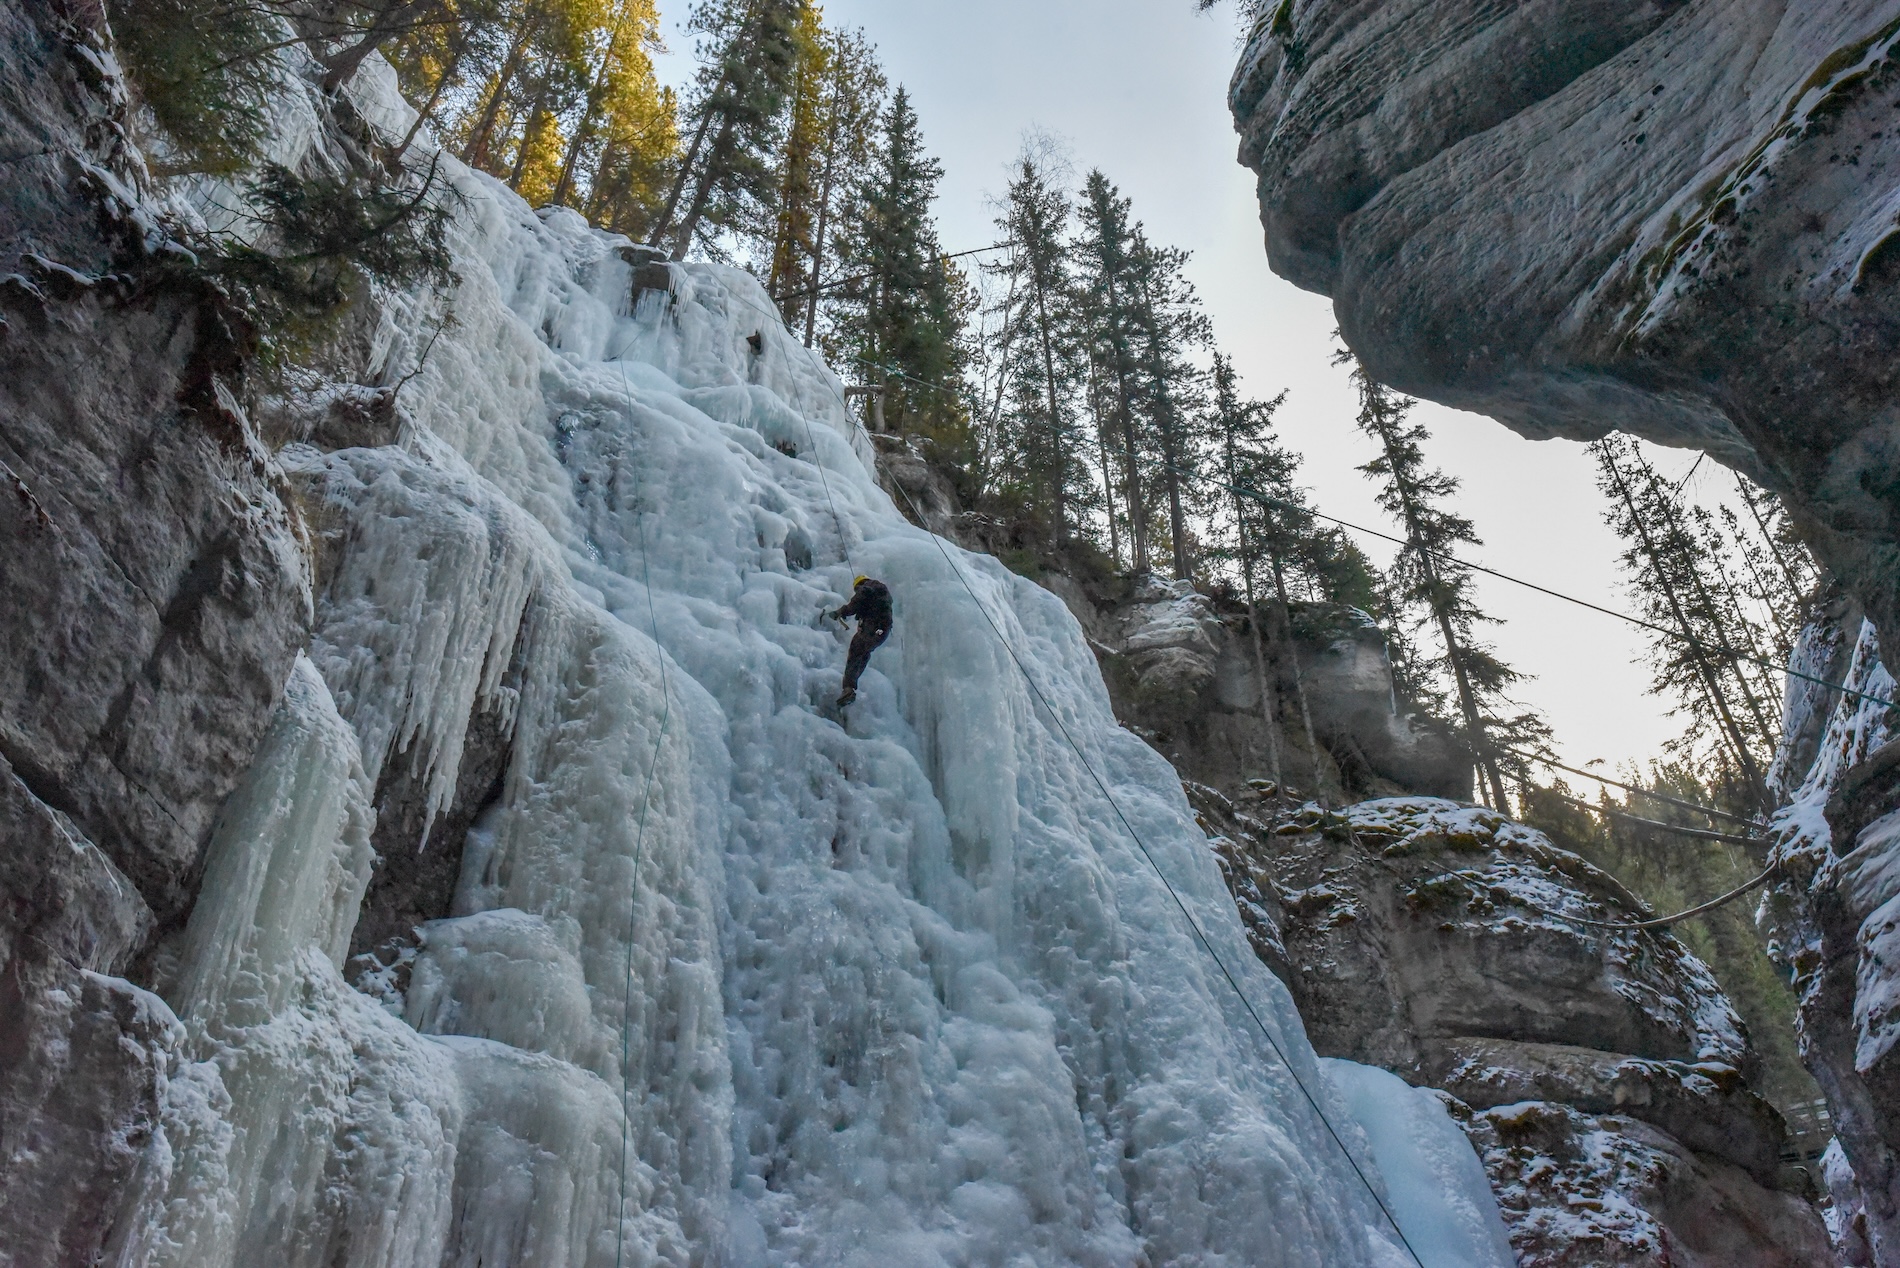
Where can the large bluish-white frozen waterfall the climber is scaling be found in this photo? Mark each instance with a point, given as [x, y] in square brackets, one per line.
[727, 980]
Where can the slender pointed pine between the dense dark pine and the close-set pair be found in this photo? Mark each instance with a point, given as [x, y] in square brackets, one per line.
[1042, 374]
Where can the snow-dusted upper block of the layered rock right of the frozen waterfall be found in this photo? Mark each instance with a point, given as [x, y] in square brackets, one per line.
[1418, 923]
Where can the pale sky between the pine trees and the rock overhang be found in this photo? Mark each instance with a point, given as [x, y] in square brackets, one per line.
[1139, 90]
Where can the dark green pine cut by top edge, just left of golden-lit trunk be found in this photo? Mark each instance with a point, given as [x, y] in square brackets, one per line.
[725, 178]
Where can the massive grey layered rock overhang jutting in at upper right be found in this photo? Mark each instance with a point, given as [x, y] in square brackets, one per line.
[1667, 218]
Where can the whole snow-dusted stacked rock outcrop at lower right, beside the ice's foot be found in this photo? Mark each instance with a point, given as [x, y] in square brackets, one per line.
[1601, 1073]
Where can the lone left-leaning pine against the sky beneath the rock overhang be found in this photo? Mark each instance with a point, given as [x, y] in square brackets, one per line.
[1430, 585]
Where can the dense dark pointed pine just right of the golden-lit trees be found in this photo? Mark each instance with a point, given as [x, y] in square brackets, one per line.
[900, 320]
